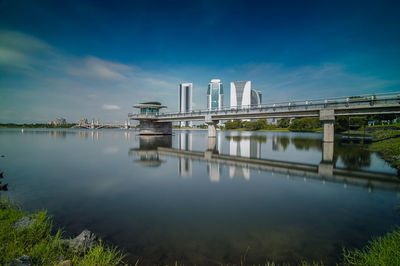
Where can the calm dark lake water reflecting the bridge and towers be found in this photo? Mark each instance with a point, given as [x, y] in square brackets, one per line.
[173, 205]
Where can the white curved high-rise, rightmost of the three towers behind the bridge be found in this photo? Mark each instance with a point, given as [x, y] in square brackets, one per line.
[243, 96]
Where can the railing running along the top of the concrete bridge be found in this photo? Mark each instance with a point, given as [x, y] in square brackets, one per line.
[343, 101]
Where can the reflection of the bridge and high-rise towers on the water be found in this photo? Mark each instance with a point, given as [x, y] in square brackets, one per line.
[245, 155]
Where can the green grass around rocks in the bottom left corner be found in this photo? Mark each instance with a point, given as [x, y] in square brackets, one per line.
[38, 242]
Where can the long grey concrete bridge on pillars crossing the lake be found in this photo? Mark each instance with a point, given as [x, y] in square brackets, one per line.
[326, 109]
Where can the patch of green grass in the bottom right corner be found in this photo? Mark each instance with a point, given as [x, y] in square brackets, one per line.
[380, 251]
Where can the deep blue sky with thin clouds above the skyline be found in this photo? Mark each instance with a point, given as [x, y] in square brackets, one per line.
[95, 59]
